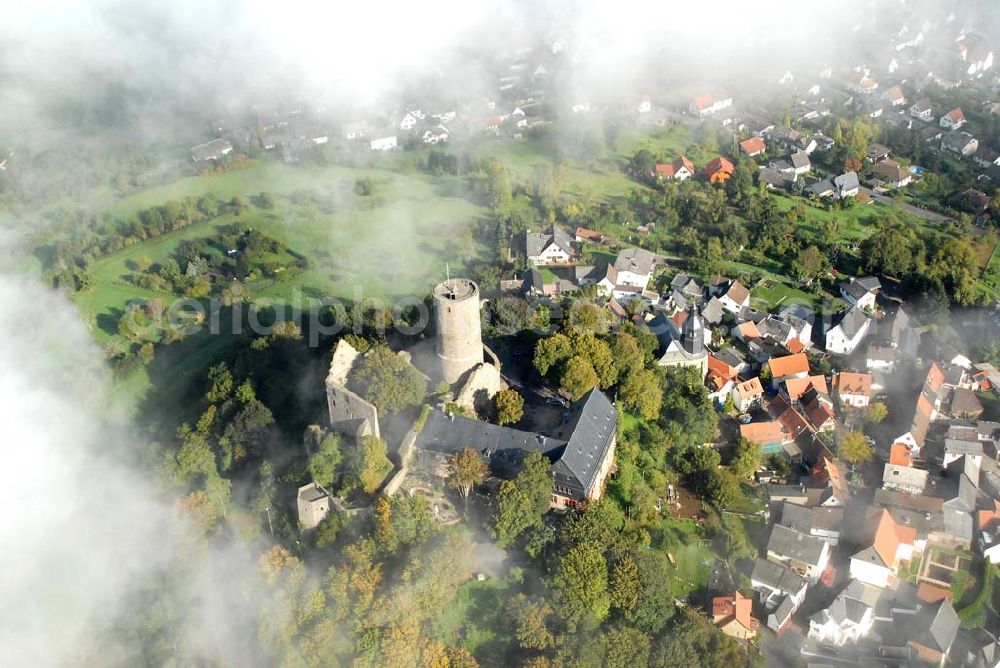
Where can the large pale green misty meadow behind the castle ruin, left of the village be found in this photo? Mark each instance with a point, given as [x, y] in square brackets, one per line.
[397, 244]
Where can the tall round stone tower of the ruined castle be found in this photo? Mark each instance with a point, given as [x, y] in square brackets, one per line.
[459, 344]
